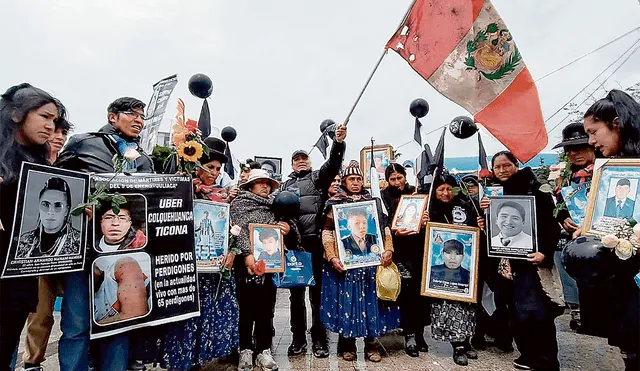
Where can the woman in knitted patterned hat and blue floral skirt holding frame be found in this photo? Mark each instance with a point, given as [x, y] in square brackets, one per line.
[346, 292]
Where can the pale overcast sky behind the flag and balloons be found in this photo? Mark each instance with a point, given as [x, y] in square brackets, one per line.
[281, 67]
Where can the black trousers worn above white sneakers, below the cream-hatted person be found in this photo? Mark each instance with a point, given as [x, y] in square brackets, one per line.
[255, 304]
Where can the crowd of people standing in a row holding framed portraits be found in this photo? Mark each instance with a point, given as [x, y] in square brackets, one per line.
[236, 315]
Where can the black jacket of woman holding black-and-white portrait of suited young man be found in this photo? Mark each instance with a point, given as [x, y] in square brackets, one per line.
[524, 183]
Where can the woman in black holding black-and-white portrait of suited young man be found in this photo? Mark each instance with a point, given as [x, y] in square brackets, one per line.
[519, 287]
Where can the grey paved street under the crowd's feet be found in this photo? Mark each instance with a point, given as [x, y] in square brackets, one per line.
[577, 352]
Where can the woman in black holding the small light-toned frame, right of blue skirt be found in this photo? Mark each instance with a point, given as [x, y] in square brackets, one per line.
[408, 255]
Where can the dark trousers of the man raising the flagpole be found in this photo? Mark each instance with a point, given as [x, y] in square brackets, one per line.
[296, 297]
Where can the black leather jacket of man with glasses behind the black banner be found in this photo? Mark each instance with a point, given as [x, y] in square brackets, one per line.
[93, 152]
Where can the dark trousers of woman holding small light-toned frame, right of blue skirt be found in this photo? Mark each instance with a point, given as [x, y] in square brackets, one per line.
[415, 309]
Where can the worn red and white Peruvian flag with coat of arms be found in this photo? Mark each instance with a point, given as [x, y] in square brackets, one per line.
[465, 51]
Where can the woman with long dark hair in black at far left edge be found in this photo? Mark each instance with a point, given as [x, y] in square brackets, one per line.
[28, 117]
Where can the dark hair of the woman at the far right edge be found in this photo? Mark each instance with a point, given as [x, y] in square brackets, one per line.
[620, 105]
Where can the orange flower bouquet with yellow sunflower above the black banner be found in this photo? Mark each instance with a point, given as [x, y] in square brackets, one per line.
[188, 144]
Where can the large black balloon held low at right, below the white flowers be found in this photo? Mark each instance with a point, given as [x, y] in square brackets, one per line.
[588, 261]
